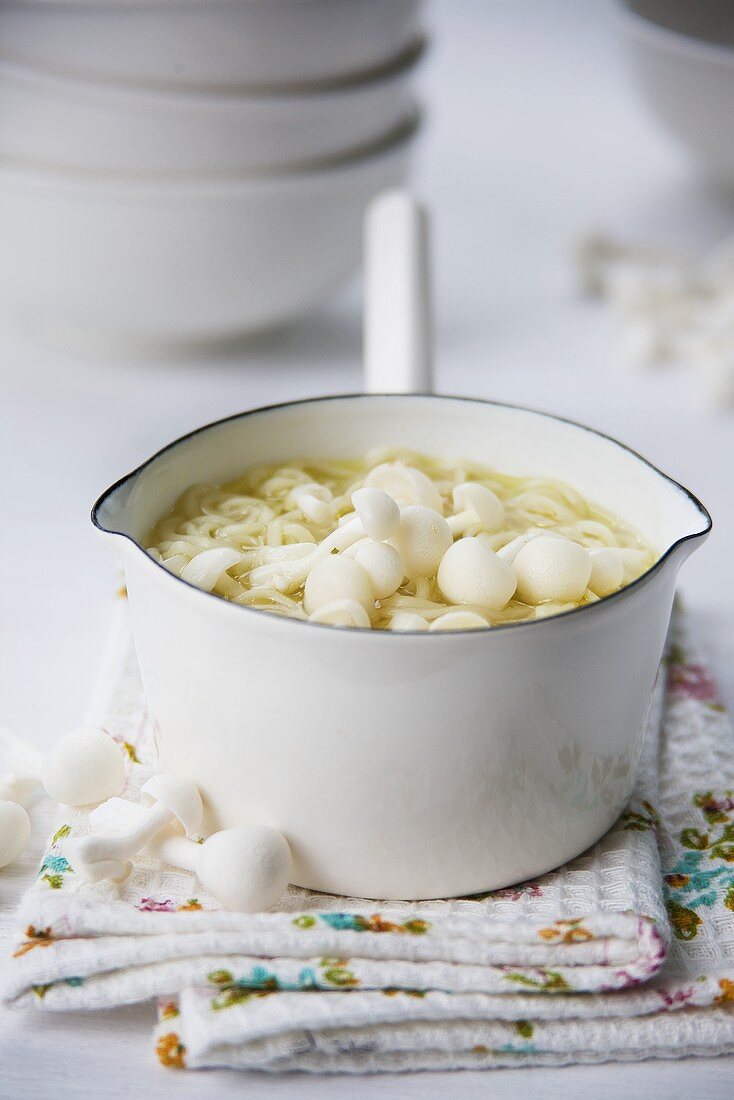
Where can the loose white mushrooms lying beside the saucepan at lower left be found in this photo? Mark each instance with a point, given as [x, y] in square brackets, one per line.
[245, 870]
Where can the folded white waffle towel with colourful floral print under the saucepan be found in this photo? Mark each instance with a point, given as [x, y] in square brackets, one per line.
[626, 953]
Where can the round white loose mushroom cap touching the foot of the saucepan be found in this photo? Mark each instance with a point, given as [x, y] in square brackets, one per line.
[246, 870]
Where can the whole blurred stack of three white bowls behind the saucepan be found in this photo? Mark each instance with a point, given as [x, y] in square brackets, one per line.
[178, 171]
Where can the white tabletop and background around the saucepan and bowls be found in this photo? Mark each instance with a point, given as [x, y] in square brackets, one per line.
[534, 135]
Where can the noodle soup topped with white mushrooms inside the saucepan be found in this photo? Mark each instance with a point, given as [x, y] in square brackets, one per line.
[398, 542]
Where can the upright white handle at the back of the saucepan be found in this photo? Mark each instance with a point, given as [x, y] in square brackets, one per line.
[398, 314]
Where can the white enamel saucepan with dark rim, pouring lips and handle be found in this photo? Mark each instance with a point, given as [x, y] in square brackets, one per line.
[406, 765]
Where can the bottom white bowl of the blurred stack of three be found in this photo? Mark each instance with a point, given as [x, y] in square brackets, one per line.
[189, 261]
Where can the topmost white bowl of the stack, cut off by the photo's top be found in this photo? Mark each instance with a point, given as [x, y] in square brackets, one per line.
[212, 43]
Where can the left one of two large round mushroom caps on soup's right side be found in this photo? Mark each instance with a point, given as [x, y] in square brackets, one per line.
[472, 574]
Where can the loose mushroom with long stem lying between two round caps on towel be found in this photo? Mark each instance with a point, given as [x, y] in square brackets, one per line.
[173, 799]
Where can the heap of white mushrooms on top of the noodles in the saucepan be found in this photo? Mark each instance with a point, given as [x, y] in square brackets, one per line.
[422, 560]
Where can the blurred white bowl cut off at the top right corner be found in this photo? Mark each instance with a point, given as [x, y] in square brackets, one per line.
[683, 60]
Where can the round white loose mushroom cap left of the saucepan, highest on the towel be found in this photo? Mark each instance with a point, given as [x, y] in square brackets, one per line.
[84, 767]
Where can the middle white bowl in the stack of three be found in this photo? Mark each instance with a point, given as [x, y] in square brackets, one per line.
[79, 124]
